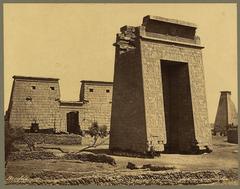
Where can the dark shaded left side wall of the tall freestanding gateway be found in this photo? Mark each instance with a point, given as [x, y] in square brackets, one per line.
[128, 130]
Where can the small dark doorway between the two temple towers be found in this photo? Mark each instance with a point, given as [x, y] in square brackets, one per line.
[73, 122]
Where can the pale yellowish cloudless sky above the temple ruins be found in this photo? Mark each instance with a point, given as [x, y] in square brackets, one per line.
[73, 42]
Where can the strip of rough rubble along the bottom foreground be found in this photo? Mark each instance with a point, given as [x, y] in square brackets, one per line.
[120, 178]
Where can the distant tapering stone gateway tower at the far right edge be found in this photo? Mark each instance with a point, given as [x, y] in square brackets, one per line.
[226, 113]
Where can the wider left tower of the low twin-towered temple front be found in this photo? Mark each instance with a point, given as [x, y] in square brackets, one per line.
[34, 99]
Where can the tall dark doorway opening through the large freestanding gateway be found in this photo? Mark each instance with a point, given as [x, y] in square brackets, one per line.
[177, 107]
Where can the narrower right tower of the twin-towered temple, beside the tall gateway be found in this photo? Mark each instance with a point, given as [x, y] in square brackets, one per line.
[97, 103]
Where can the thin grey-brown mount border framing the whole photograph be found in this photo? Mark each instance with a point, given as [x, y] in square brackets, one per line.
[2, 168]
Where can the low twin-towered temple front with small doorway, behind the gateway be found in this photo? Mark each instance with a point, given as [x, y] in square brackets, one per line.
[36, 101]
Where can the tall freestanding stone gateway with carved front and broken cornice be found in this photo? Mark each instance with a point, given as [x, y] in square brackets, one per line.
[159, 99]
